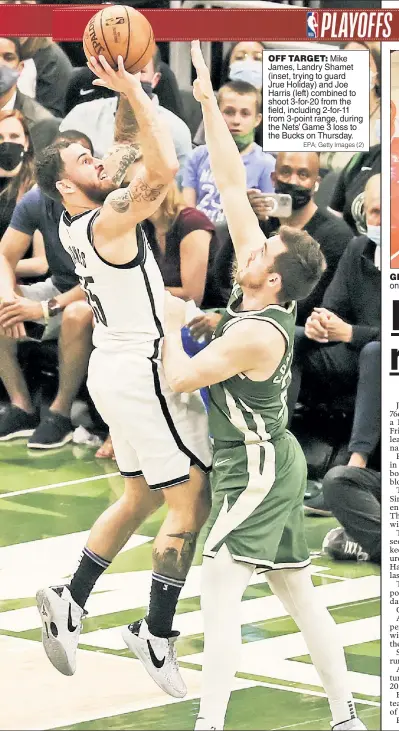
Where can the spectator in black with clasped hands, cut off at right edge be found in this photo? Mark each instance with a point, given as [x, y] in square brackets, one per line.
[339, 347]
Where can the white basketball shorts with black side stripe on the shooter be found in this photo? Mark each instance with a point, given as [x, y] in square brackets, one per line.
[155, 432]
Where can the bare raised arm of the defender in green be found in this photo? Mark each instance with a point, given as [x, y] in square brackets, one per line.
[226, 163]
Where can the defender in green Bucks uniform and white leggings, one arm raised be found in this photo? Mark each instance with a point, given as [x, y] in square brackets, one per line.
[259, 470]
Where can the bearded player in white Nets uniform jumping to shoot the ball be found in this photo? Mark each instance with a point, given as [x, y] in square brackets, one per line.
[161, 444]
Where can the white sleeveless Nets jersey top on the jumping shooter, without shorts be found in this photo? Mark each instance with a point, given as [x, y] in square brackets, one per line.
[127, 299]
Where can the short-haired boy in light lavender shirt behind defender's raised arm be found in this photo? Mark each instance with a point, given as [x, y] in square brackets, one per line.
[240, 104]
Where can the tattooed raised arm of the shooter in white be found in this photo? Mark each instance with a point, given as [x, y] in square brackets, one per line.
[144, 194]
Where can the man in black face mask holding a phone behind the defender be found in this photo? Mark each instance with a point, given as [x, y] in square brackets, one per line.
[296, 174]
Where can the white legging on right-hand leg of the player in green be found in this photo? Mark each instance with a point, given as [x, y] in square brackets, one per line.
[294, 588]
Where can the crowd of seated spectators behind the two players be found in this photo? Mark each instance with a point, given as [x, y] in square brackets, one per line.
[336, 199]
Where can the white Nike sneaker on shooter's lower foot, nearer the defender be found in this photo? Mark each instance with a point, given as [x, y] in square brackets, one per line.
[158, 655]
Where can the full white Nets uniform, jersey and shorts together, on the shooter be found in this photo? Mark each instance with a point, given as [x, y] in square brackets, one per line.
[155, 433]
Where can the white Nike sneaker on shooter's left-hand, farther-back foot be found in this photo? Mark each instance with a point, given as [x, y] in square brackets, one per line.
[62, 622]
